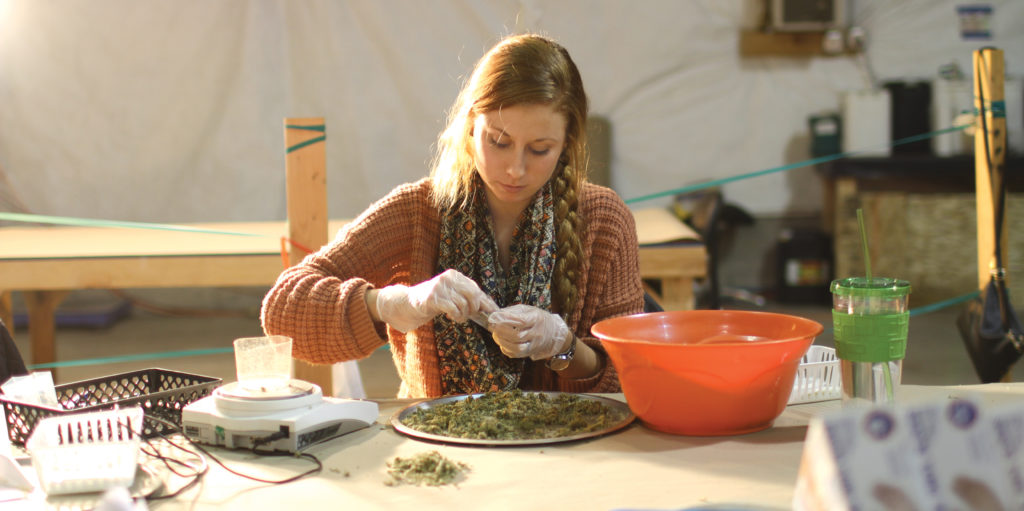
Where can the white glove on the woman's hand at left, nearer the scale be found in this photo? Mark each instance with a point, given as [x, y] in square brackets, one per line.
[451, 293]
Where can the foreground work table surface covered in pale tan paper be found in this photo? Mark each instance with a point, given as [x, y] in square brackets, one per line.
[636, 469]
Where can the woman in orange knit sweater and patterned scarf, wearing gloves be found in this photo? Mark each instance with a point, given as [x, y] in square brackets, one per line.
[505, 231]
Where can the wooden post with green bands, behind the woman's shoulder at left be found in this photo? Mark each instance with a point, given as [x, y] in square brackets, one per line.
[306, 166]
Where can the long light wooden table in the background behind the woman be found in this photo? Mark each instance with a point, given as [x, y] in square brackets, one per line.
[46, 264]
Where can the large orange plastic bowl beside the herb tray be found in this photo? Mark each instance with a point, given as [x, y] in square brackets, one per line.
[707, 373]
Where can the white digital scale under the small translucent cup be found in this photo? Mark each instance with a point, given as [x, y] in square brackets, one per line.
[286, 417]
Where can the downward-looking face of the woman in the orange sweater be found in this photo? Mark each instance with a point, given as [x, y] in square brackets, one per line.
[517, 152]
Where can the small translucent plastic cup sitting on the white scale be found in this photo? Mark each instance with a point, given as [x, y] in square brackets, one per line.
[264, 364]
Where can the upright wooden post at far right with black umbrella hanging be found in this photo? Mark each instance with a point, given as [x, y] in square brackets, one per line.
[990, 155]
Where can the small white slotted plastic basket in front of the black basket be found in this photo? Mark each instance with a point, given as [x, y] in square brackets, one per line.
[83, 453]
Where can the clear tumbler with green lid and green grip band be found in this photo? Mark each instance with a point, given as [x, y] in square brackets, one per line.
[871, 323]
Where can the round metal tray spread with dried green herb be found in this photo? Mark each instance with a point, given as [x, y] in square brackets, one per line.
[515, 415]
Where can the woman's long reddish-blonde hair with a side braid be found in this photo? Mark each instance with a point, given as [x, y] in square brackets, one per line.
[524, 70]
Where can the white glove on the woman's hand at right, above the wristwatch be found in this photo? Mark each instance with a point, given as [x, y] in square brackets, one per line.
[528, 331]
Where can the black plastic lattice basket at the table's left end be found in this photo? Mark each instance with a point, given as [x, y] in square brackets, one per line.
[162, 394]
